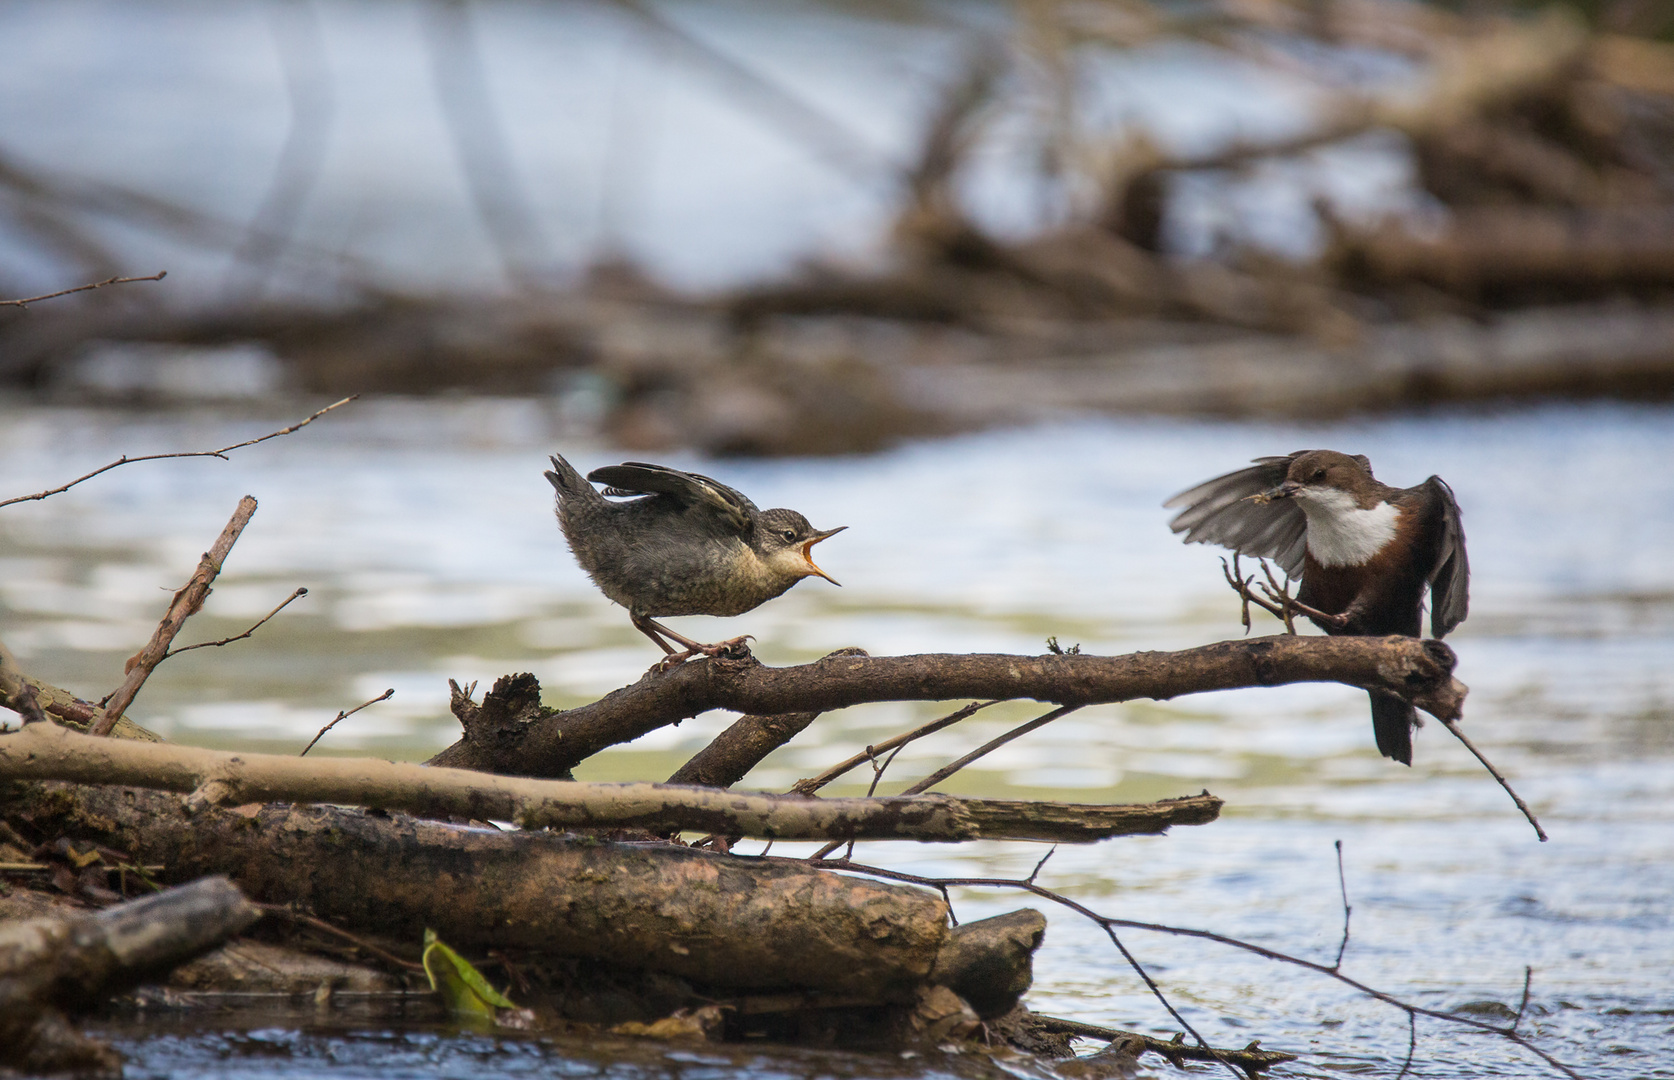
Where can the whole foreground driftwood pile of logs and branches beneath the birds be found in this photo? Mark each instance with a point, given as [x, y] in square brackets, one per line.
[588, 900]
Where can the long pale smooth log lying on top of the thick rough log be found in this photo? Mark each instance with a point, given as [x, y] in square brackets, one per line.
[51, 753]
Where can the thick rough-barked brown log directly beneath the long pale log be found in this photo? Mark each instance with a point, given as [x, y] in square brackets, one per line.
[721, 922]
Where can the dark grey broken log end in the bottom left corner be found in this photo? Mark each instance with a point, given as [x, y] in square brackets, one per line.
[59, 964]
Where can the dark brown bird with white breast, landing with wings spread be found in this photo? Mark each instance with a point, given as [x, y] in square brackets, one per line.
[1363, 550]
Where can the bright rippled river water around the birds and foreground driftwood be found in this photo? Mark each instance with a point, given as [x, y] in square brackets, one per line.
[426, 538]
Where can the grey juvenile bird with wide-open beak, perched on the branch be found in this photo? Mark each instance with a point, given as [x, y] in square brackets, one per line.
[687, 547]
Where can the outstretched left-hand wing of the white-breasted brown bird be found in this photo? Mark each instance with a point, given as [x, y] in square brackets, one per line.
[1221, 512]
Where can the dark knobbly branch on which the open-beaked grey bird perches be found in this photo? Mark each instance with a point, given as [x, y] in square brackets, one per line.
[553, 743]
